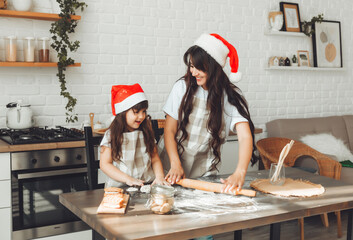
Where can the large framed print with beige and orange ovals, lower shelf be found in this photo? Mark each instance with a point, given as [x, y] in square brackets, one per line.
[327, 44]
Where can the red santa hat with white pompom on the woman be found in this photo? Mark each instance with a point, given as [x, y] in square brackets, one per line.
[220, 49]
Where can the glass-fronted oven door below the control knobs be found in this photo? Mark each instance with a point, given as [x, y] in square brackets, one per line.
[36, 210]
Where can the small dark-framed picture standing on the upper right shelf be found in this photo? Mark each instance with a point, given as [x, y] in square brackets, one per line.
[291, 17]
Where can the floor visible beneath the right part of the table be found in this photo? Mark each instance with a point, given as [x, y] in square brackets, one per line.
[313, 230]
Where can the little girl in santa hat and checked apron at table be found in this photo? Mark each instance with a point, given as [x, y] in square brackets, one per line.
[128, 150]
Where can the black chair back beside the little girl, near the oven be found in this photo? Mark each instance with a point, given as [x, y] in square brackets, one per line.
[92, 141]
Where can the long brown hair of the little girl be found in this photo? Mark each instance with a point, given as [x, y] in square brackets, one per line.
[119, 126]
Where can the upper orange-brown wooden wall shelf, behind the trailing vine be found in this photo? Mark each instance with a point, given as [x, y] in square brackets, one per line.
[34, 15]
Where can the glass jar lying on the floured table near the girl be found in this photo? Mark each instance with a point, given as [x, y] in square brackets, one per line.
[162, 199]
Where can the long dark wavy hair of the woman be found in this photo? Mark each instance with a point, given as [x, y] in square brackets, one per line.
[217, 84]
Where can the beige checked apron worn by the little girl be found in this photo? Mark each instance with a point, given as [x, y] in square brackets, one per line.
[135, 161]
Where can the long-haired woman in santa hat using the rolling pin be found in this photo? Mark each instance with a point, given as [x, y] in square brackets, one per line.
[201, 109]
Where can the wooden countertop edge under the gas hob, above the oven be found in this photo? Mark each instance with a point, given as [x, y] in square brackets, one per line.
[5, 147]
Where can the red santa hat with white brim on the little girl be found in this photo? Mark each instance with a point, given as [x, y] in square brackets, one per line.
[126, 96]
